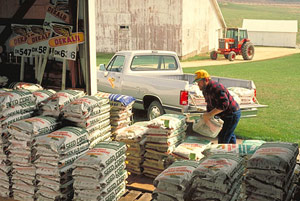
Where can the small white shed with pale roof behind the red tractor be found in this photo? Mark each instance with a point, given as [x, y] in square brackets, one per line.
[278, 33]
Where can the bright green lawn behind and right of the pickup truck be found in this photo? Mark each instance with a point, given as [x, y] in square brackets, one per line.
[278, 86]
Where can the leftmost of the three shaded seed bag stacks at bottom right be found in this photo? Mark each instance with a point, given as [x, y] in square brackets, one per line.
[174, 182]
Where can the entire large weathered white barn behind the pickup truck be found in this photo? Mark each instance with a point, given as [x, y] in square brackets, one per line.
[188, 27]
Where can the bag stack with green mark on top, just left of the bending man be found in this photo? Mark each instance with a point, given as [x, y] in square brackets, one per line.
[164, 134]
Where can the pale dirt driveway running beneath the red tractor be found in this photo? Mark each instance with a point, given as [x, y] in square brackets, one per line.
[261, 53]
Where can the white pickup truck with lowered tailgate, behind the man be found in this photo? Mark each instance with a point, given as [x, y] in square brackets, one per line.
[157, 82]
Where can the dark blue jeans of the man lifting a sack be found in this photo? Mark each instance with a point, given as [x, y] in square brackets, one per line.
[226, 135]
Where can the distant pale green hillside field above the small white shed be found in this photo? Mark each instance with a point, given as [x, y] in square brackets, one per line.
[235, 13]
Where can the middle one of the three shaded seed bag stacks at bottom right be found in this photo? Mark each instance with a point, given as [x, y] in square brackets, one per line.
[218, 177]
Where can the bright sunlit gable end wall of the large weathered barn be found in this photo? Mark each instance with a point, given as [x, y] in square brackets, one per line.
[201, 27]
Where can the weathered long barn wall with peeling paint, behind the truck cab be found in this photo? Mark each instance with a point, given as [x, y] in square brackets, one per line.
[138, 24]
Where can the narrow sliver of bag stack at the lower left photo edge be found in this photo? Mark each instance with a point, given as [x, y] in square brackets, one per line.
[5, 171]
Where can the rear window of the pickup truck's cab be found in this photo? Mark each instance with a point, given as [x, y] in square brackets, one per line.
[153, 62]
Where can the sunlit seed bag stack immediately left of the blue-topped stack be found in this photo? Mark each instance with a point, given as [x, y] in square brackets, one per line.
[91, 113]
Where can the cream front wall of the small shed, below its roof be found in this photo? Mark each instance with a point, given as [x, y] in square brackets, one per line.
[273, 39]
